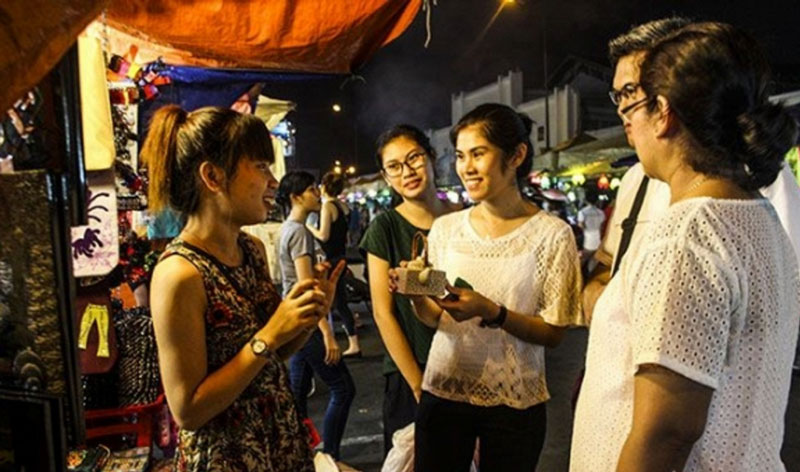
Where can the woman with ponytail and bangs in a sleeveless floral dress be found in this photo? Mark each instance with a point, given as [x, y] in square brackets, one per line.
[221, 328]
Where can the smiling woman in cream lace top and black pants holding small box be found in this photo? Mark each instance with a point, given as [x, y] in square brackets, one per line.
[485, 374]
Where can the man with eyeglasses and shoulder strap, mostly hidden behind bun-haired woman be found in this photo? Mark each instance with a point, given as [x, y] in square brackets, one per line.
[641, 200]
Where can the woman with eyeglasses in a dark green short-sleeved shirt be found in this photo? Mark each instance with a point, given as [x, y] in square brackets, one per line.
[406, 158]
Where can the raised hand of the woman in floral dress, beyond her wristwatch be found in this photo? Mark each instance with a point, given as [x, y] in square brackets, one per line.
[298, 312]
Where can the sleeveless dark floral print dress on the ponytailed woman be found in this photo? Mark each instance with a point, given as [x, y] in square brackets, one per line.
[261, 431]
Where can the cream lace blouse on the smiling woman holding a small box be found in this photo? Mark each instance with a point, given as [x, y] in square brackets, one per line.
[534, 270]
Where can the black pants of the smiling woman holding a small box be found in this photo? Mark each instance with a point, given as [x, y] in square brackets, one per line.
[445, 433]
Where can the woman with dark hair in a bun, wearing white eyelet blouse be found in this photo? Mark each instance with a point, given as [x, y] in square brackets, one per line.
[690, 368]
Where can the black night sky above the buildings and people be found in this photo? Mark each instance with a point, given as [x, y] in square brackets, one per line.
[404, 82]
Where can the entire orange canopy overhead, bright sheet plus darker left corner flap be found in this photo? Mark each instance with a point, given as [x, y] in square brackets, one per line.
[333, 36]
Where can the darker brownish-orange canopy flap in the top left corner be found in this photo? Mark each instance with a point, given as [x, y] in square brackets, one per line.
[34, 37]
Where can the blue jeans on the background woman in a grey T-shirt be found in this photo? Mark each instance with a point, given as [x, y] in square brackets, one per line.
[302, 366]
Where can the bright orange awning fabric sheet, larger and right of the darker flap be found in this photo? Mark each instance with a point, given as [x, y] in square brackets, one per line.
[288, 35]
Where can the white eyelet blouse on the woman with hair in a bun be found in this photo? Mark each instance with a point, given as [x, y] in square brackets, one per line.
[711, 293]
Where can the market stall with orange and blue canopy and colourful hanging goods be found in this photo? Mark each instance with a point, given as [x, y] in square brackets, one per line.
[91, 344]
